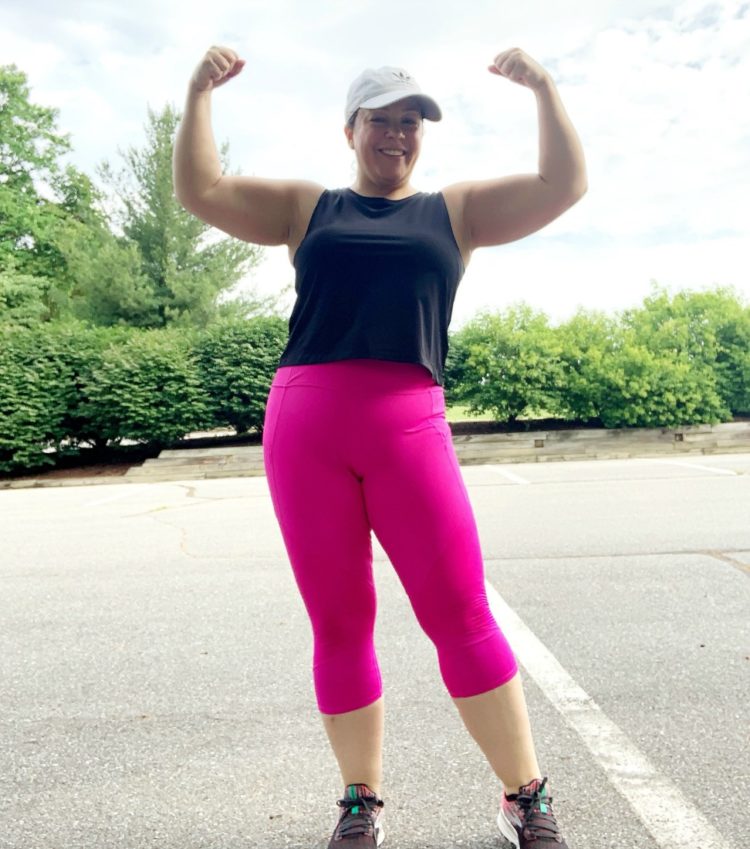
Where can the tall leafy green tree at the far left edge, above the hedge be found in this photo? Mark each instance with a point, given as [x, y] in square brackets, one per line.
[50, 222]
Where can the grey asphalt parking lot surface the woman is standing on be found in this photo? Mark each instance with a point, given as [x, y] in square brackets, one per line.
[156, 690]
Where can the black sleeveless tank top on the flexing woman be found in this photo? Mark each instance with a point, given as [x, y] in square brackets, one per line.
[375, 279]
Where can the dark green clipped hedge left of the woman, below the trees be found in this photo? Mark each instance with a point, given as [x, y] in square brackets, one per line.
[66, 385]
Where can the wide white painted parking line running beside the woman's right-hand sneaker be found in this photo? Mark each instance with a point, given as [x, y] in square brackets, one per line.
[672, 820]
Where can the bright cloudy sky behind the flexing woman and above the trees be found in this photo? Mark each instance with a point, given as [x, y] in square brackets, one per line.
[659, 93]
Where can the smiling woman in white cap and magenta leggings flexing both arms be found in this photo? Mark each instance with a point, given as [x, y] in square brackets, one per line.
[355, 437]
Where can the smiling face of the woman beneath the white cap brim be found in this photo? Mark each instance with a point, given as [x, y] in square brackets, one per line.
[387, 142]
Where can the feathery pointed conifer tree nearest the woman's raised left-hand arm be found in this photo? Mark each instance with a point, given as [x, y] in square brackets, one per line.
[186, 267]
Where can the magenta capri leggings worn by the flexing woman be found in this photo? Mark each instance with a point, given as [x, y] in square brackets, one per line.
[357, 446]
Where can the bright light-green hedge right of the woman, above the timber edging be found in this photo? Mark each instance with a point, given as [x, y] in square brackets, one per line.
[677, 360]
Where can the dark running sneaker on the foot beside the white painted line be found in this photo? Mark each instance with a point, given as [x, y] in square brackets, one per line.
[526, 820]
